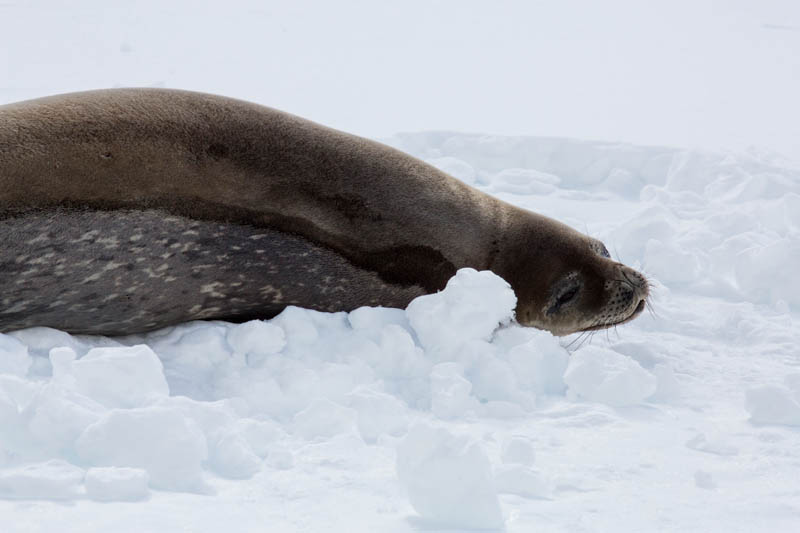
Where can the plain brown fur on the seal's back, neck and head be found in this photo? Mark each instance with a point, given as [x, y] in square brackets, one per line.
[212, 158]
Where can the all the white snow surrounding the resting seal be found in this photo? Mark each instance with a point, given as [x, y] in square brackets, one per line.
[447, 415]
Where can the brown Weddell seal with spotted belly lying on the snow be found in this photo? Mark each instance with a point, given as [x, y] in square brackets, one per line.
[126, 210]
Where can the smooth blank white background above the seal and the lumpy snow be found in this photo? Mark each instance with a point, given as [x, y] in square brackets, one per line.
[695, 73]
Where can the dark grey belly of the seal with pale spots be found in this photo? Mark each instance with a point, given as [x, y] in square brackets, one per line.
[125, 271]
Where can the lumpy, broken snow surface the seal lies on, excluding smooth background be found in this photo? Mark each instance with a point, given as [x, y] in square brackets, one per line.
[447, 415]
